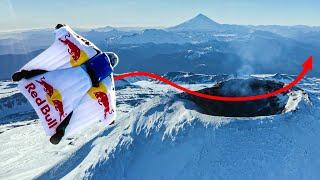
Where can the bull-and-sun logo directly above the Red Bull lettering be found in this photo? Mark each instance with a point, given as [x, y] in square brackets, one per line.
[53, 96]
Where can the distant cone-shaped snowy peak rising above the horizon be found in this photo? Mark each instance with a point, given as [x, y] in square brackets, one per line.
[198, 23]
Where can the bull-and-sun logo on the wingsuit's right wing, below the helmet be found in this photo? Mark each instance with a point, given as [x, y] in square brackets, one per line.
[100, 94]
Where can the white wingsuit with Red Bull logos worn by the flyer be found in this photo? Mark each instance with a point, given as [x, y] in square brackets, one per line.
[65, 89]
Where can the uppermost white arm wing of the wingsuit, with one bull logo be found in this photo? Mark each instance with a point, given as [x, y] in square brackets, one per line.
[68, 50]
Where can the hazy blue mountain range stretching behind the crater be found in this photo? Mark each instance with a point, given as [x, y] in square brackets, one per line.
[196, 45]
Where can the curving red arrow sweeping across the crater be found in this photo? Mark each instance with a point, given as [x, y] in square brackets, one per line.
[307, 66]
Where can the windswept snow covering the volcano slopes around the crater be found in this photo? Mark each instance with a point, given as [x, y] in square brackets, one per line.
[157, 135]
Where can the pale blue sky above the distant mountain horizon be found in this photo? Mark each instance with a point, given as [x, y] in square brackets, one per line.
[26, 14]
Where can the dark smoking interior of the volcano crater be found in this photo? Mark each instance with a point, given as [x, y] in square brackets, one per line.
[241, 87]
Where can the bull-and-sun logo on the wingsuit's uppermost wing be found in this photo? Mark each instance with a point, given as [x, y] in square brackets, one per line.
[78, 56]
